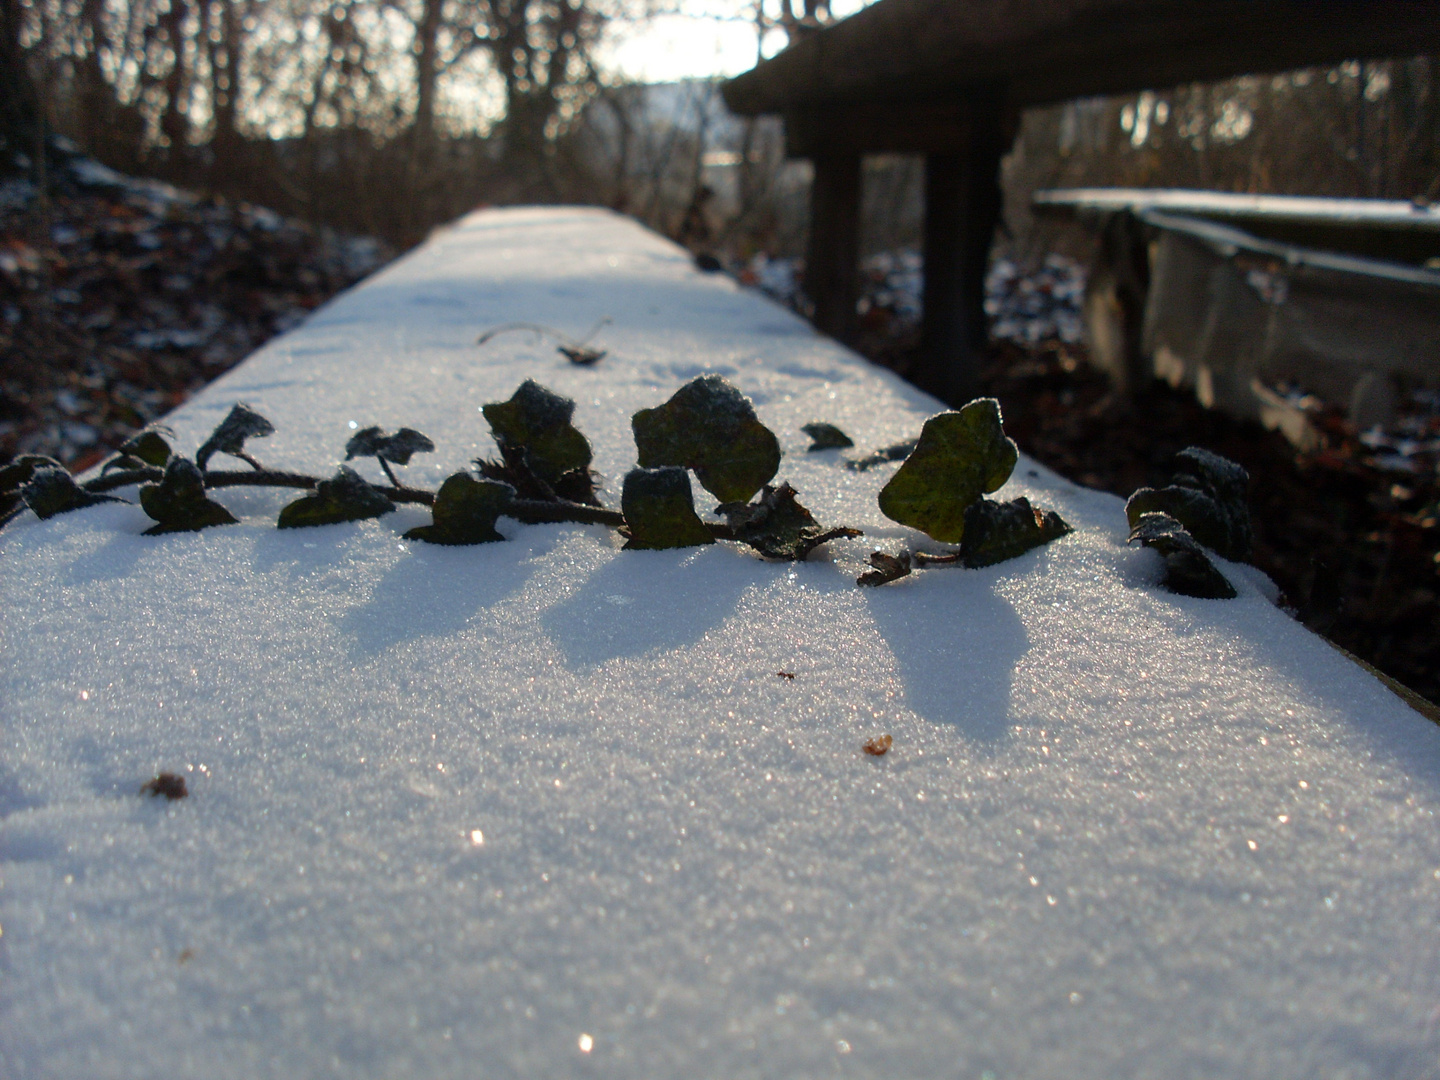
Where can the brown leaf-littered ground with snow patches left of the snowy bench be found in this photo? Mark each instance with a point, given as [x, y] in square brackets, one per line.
[120, 302]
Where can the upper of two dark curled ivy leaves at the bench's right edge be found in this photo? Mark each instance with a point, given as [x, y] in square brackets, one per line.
[1207, 496]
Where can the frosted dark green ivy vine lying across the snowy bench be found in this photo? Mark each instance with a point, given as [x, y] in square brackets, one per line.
[542, 474]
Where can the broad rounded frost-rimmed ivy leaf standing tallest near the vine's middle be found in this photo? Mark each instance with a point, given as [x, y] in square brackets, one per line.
[712, 428]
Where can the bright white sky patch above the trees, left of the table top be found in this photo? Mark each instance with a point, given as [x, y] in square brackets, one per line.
[703, 38]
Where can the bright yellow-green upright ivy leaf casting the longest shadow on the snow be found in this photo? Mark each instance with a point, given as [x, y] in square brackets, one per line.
[961, 456]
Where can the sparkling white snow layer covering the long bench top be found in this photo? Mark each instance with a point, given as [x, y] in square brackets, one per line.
[545, 809]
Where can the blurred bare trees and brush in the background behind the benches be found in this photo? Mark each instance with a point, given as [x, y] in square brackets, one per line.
[390, 117]
